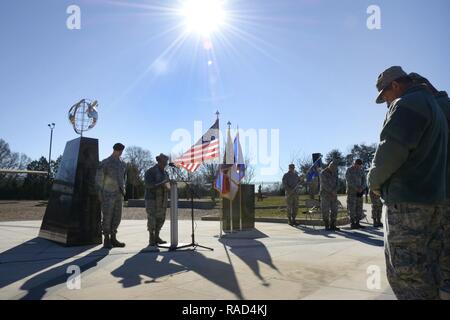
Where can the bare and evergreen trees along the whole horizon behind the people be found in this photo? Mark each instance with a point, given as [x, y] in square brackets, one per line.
[138, 160]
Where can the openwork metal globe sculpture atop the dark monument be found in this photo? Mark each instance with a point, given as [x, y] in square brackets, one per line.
[83, 115]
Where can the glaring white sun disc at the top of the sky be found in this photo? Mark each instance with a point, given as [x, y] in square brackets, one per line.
[203, 17]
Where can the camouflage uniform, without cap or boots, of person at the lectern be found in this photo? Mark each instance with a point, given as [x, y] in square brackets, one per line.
[156, 198]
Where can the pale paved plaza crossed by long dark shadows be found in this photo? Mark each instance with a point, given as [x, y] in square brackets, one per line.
[274, 261]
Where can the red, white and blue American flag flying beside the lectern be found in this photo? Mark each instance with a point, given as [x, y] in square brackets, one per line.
[207, 148]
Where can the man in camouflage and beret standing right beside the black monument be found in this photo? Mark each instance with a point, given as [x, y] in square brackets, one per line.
[110, 180]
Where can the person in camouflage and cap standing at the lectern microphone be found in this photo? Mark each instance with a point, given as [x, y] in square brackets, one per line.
[156, 198]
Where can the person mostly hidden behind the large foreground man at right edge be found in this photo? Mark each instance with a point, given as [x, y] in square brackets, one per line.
[444, 102]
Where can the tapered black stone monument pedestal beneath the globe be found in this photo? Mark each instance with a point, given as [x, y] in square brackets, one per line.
[73, 215]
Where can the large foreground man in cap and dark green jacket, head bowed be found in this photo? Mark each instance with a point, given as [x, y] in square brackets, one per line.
[408, 173]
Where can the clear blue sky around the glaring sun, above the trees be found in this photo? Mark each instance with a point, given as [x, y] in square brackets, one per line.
[305, 67]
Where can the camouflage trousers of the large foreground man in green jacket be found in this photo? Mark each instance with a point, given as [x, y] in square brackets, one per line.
[411, 265]
